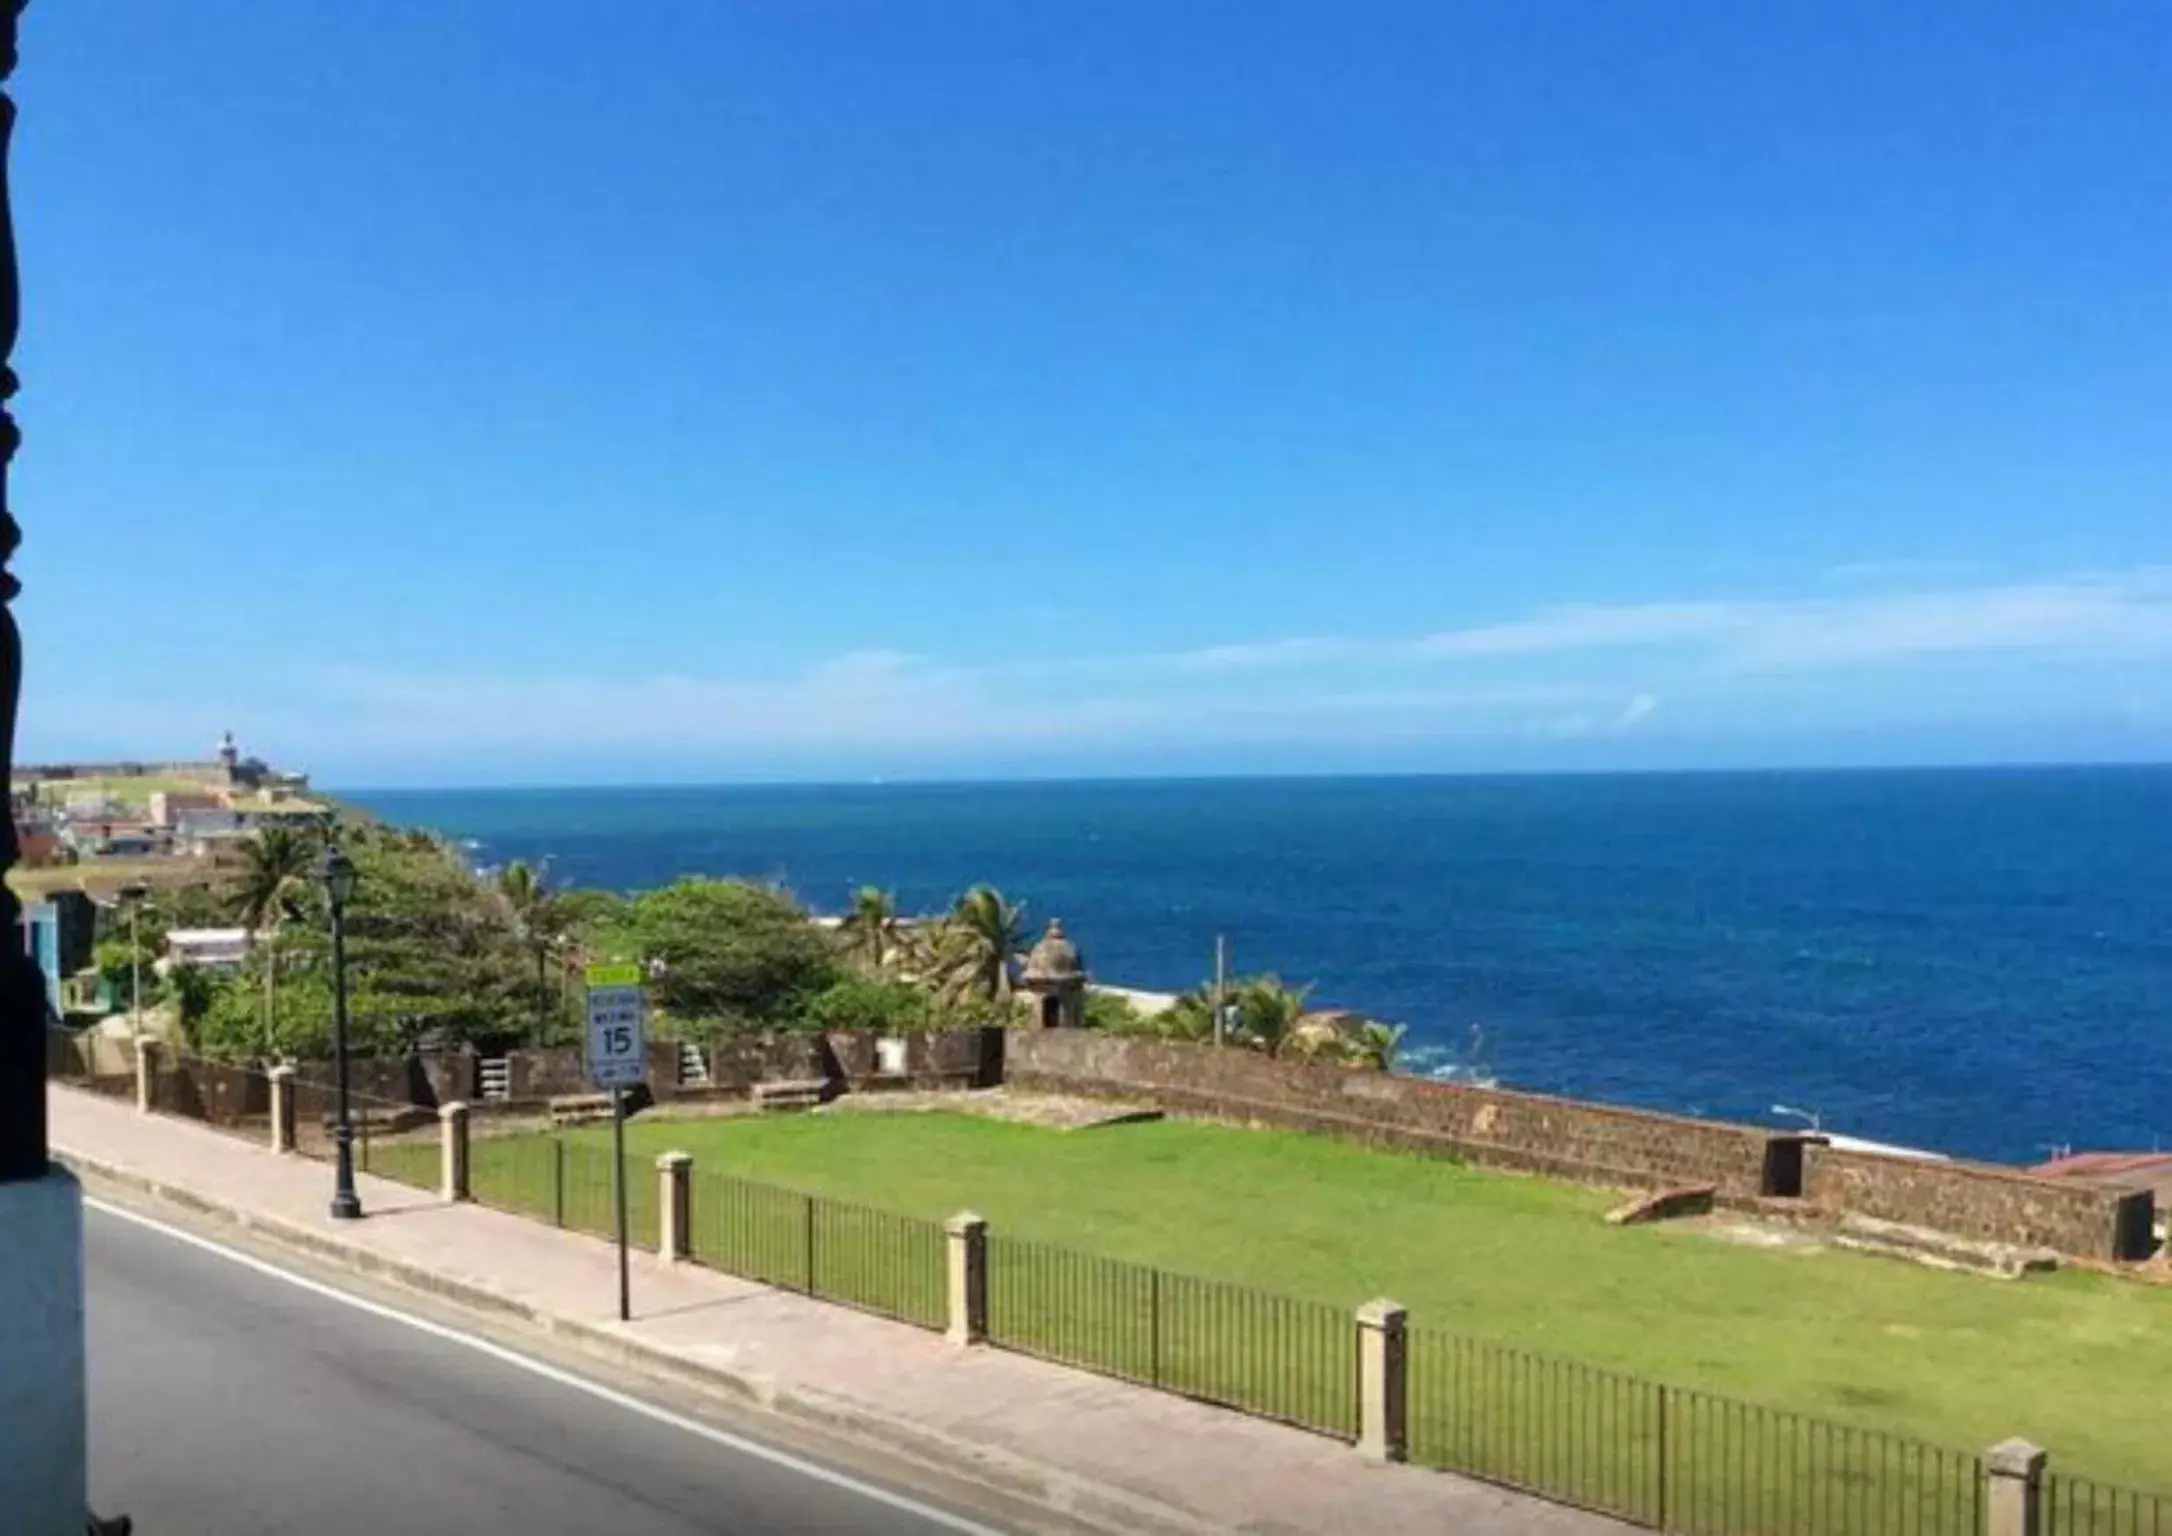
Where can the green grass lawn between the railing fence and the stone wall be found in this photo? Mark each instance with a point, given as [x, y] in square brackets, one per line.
[2071, 1361]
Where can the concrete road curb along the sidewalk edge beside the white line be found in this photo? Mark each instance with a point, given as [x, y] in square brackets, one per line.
[1000, 1472]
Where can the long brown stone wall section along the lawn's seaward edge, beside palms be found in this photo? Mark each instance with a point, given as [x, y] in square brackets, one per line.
[1491, 1126]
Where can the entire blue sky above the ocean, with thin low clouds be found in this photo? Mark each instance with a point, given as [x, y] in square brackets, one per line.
[481, 392]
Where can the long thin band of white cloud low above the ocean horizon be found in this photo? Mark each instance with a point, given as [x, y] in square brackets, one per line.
[1582, 670]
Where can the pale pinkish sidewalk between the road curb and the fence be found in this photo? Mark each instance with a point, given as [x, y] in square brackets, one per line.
[1094, 1448]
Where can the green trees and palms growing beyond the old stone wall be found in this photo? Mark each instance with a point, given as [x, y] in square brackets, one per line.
[444, 957]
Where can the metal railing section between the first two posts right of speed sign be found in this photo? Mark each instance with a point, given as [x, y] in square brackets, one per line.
[824, 1248]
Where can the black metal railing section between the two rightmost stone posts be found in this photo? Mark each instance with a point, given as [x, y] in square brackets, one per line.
[1669, 1457]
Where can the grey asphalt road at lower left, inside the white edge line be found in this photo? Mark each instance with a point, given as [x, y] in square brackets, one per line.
[227, 1402]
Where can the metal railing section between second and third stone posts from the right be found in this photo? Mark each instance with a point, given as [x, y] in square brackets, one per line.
[1222, 1344]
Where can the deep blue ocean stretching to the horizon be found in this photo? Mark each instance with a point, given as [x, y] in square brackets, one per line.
[1975, 961]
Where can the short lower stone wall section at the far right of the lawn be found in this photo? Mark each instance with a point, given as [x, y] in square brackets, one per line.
[1984, 1203]
